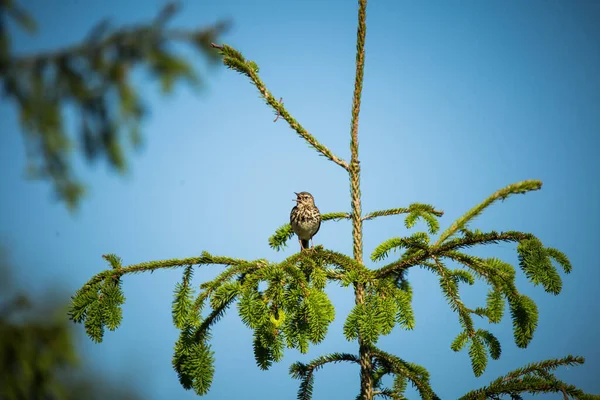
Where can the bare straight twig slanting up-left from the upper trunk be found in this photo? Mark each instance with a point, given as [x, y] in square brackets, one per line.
[235, 60]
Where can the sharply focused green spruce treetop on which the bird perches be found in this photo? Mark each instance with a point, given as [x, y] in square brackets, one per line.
[285, 303]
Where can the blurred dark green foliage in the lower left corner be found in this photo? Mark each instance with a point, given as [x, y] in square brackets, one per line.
[38, 358]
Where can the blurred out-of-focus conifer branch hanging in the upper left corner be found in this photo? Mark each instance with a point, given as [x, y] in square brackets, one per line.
[93, 77]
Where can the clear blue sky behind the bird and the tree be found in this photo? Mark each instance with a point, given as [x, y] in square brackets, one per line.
[461, 98]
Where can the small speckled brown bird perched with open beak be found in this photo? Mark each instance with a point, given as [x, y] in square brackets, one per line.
[305, 219]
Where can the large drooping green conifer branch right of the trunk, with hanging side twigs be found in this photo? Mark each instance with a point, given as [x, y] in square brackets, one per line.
[534, 260]
